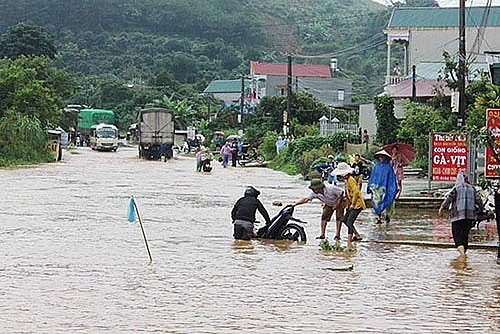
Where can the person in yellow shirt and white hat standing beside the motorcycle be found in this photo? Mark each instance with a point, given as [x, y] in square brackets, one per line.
[355, 201]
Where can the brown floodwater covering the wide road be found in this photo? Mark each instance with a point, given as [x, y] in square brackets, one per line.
[72, 263]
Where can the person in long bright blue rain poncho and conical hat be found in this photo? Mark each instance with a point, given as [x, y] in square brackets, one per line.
[383, 186]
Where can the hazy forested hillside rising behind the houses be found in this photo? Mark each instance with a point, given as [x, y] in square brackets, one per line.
[187, 43]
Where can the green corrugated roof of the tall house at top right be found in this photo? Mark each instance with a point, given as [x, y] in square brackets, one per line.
[442, 17]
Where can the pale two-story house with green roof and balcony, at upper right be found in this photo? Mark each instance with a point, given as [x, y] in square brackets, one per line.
[421, 36]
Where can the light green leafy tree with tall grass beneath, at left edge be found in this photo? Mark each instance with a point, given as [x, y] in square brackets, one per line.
[31, 99]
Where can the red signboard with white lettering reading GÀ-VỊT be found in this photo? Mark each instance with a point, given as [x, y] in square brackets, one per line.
[449, 155]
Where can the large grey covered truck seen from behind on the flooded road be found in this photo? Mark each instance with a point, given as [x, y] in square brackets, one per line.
[156, 133]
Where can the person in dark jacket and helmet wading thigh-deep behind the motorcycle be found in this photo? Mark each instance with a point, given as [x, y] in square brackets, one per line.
[243, 214]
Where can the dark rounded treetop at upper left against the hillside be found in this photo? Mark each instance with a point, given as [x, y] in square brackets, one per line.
[26, 39]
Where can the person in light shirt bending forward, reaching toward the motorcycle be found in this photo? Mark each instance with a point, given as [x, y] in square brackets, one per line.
[331, 196]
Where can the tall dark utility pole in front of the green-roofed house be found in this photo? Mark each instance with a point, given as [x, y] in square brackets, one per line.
[461, 66]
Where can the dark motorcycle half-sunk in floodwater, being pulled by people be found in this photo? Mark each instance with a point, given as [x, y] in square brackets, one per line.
[284, 227]
